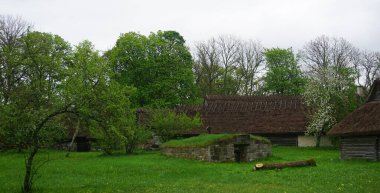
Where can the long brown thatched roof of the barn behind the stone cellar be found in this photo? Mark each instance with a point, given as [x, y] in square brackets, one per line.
[253, 114]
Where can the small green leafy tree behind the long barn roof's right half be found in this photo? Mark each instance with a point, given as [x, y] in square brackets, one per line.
[284, 76]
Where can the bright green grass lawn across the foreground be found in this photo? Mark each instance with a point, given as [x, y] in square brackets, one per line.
[153, 172]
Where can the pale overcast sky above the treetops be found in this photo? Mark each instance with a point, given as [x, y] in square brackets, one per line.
[275, 23]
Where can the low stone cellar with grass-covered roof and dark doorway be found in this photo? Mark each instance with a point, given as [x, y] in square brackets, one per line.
[219, 148]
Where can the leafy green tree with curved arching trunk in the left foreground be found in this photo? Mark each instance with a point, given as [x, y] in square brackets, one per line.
[56, 81]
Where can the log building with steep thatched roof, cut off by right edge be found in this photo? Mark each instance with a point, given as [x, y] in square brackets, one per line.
[360, 131]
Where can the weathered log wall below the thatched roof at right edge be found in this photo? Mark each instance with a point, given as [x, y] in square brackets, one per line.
[366, 148]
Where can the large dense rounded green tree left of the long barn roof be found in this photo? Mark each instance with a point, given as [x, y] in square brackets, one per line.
[159, 66]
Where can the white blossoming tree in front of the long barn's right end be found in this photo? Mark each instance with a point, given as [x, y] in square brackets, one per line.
[330, 98]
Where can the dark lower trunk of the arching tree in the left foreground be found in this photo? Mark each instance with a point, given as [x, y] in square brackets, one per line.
[28, 179]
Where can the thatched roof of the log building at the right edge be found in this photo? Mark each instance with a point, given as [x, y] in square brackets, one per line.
[363, 121]
